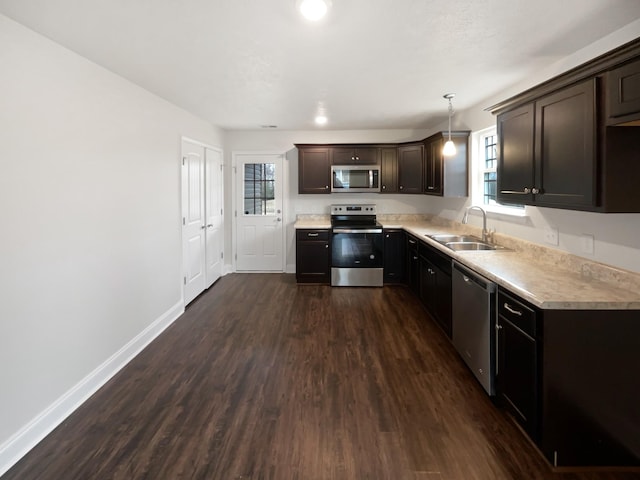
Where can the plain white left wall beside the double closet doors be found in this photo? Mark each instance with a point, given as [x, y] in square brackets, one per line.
[90, 215]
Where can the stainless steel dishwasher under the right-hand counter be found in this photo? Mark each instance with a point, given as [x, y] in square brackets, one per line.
[473, 323]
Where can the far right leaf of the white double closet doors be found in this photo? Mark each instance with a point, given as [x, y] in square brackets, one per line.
[213, 209]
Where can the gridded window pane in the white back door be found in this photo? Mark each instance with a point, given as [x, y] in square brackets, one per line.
[259, 188]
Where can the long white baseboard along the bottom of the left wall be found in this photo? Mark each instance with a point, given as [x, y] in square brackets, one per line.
[31, 434]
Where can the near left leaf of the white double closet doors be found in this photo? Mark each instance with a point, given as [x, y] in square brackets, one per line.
[193, 220]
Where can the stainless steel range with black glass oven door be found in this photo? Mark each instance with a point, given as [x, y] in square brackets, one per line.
[356, 246]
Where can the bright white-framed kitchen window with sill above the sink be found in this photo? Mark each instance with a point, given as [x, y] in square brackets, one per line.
[485, 174]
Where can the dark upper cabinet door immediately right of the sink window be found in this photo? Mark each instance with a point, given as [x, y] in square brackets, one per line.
[515, 155]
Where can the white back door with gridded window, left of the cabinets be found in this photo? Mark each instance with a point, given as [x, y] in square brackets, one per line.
[259, 230]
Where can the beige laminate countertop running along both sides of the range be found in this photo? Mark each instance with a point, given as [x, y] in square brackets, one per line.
[547, 281]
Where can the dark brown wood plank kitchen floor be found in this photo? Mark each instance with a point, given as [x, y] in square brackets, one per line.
[264, 379]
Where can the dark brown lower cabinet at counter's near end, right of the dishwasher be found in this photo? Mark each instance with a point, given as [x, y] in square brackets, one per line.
[569, 377]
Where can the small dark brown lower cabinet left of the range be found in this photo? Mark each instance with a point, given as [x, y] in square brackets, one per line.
[313, 256]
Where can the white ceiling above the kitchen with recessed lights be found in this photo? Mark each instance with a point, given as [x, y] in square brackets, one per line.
[373, 64]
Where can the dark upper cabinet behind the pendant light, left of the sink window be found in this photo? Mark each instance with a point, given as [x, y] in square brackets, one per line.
[447, 176]
